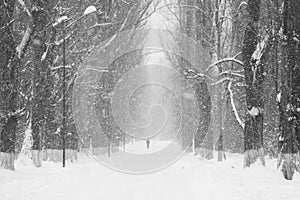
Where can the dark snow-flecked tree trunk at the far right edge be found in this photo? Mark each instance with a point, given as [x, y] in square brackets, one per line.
[289, 105]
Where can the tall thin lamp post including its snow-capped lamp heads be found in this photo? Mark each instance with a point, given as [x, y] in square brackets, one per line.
[88, 10]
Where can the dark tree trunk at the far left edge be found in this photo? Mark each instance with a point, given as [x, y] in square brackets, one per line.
[9, 63]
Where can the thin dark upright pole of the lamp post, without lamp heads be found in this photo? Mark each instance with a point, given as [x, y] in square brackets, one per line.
[64, 96]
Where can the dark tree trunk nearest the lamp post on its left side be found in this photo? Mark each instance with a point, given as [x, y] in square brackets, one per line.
[40, 18]
